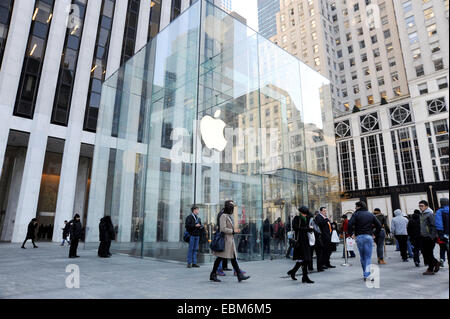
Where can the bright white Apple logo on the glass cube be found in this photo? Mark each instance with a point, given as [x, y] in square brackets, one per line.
[212, 132]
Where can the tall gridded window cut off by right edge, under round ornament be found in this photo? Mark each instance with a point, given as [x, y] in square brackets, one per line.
[439, 148]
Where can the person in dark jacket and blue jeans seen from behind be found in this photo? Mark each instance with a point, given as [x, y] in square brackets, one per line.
[361, 227]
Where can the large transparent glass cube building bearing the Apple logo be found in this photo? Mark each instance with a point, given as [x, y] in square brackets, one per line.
[207, 111]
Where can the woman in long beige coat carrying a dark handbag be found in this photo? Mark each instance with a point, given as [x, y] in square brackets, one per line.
[227, 228]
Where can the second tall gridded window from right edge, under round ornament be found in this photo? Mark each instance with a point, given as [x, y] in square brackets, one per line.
[407, 156]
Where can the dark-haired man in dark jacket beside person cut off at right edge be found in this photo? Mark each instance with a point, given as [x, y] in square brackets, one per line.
[428, 237]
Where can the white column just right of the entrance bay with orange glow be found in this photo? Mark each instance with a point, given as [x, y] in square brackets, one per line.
[69, 166]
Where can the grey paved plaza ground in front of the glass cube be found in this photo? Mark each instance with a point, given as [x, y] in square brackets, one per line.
[41, 273]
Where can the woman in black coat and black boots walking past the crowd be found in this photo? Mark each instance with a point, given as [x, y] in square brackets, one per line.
[302, 250]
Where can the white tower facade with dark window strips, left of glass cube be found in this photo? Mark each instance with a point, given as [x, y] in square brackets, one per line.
[54, 57]
